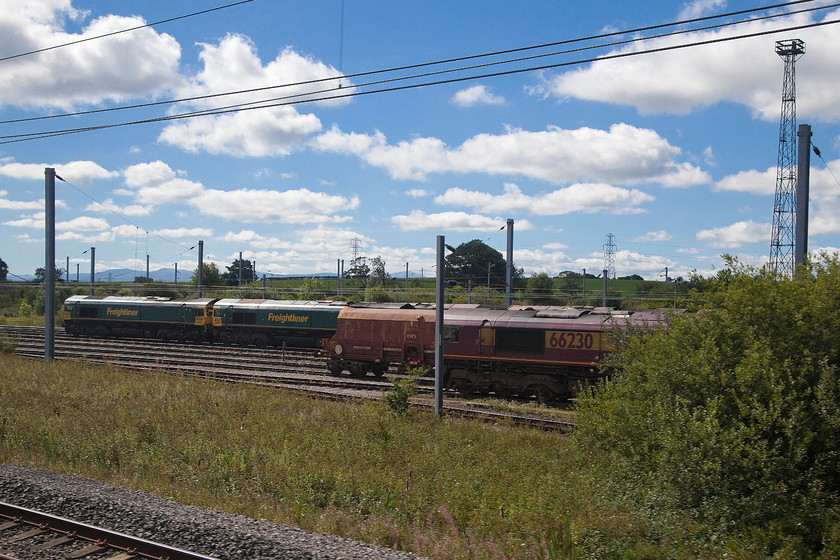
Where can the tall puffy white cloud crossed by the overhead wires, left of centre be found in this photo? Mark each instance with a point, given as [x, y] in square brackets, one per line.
[252, 133]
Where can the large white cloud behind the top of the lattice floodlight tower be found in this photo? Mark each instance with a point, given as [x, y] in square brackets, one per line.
[745, 71]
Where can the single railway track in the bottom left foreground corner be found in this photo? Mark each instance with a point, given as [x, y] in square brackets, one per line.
[25, 534]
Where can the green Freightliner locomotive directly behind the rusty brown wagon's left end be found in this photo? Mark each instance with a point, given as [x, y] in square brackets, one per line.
[263, 323]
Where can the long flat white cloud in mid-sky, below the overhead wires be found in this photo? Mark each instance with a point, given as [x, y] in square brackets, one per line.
[623, 154]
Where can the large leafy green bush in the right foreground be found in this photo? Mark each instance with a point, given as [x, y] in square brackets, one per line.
[731, 417]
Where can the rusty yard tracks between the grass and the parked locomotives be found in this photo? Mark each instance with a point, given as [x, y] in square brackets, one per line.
[293, 369]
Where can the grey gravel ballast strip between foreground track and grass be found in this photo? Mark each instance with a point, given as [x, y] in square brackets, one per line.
[220, 535]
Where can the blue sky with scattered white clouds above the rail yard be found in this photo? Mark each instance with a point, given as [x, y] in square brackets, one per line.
[368, 144]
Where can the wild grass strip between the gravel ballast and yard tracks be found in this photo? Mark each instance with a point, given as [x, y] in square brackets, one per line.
[447, 489]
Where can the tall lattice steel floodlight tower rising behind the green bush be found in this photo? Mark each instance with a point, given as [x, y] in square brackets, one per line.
[784, 207]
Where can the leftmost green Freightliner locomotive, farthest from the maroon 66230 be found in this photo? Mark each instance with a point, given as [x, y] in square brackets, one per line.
[148, 317]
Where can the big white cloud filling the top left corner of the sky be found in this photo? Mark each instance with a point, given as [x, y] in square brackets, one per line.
[128, 65]
